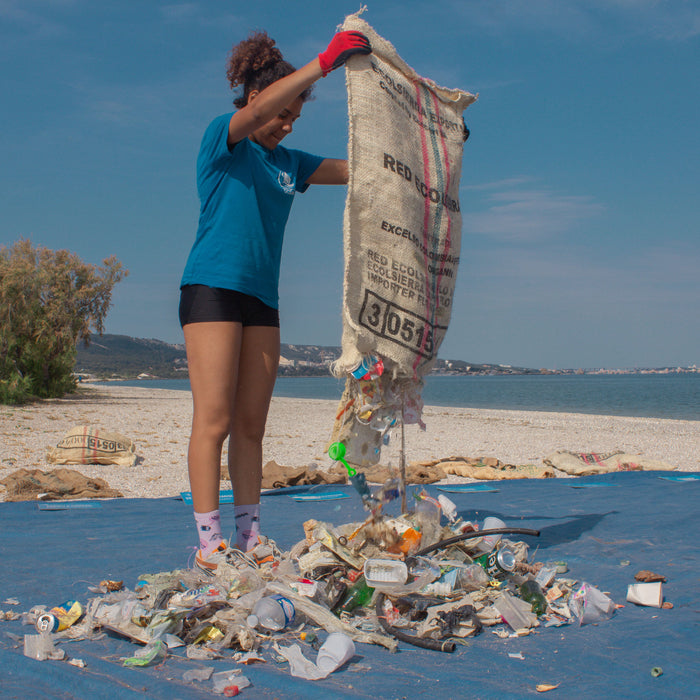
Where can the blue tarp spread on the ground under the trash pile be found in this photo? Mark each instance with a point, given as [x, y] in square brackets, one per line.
[49, 556]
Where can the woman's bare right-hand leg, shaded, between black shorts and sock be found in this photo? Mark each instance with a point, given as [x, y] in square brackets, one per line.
[257, 371]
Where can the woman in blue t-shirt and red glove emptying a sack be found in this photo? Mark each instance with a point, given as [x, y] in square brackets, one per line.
[228, 304]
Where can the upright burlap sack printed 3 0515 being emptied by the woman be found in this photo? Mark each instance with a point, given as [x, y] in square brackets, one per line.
[402, 226]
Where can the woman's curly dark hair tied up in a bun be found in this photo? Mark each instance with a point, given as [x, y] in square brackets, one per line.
[255, 63]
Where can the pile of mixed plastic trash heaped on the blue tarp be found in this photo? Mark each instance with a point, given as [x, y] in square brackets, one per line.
[425, 577]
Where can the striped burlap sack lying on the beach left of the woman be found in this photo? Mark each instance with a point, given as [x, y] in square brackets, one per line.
[84, 444]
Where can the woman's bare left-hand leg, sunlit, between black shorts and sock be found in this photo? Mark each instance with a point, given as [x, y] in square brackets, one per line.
[213, 351]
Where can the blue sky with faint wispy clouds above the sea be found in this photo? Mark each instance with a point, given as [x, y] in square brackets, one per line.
[580, 181]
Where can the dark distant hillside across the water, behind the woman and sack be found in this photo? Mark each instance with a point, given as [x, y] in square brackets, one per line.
[112, 356]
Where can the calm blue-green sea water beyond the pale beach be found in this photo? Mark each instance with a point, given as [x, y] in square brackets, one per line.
[648, 395]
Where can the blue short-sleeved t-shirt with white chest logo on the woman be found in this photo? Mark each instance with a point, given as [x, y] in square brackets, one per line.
[245, 196]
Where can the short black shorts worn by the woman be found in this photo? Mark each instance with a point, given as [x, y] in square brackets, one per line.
[199, 304]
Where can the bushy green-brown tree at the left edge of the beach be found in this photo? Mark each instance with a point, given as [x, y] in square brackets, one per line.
[49, 300]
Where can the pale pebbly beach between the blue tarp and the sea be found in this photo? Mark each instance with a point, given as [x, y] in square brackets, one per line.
[158, 421]
